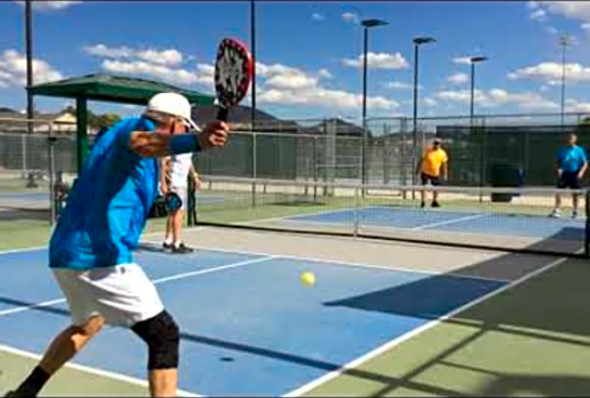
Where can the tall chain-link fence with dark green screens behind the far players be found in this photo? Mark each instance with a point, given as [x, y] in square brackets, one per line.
[484, 150]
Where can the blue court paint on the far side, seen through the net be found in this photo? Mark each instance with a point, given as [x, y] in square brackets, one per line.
[442, 220]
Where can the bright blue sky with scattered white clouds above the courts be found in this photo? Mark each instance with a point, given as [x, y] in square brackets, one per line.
[308, 52]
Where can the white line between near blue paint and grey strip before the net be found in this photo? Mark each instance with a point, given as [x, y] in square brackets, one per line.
[351, 264]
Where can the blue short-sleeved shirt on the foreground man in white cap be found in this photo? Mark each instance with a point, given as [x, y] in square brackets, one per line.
[108, 206]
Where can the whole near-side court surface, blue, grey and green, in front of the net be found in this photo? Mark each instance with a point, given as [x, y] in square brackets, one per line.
[249, 327]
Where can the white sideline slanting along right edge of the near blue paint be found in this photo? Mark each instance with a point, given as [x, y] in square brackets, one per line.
[398, 340]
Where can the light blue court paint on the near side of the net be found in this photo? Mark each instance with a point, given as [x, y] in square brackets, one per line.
[255, 330]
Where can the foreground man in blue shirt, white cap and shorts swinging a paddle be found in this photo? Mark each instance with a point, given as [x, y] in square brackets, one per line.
[90, 252]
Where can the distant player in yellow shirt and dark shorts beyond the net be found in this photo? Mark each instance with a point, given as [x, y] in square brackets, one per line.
[433, 167]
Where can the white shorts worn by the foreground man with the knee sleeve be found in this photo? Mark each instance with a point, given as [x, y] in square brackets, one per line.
[122, 294]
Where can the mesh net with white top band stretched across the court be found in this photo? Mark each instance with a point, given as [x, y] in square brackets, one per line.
[508, 219]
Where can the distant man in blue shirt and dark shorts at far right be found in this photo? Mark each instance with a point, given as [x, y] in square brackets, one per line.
[570, 166]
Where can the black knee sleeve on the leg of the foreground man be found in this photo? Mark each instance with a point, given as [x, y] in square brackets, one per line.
[162, 336]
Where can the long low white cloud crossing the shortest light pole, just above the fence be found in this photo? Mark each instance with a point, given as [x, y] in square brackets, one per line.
[498, 97]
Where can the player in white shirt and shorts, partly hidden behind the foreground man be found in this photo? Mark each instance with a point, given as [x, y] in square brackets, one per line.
[175, 171]
